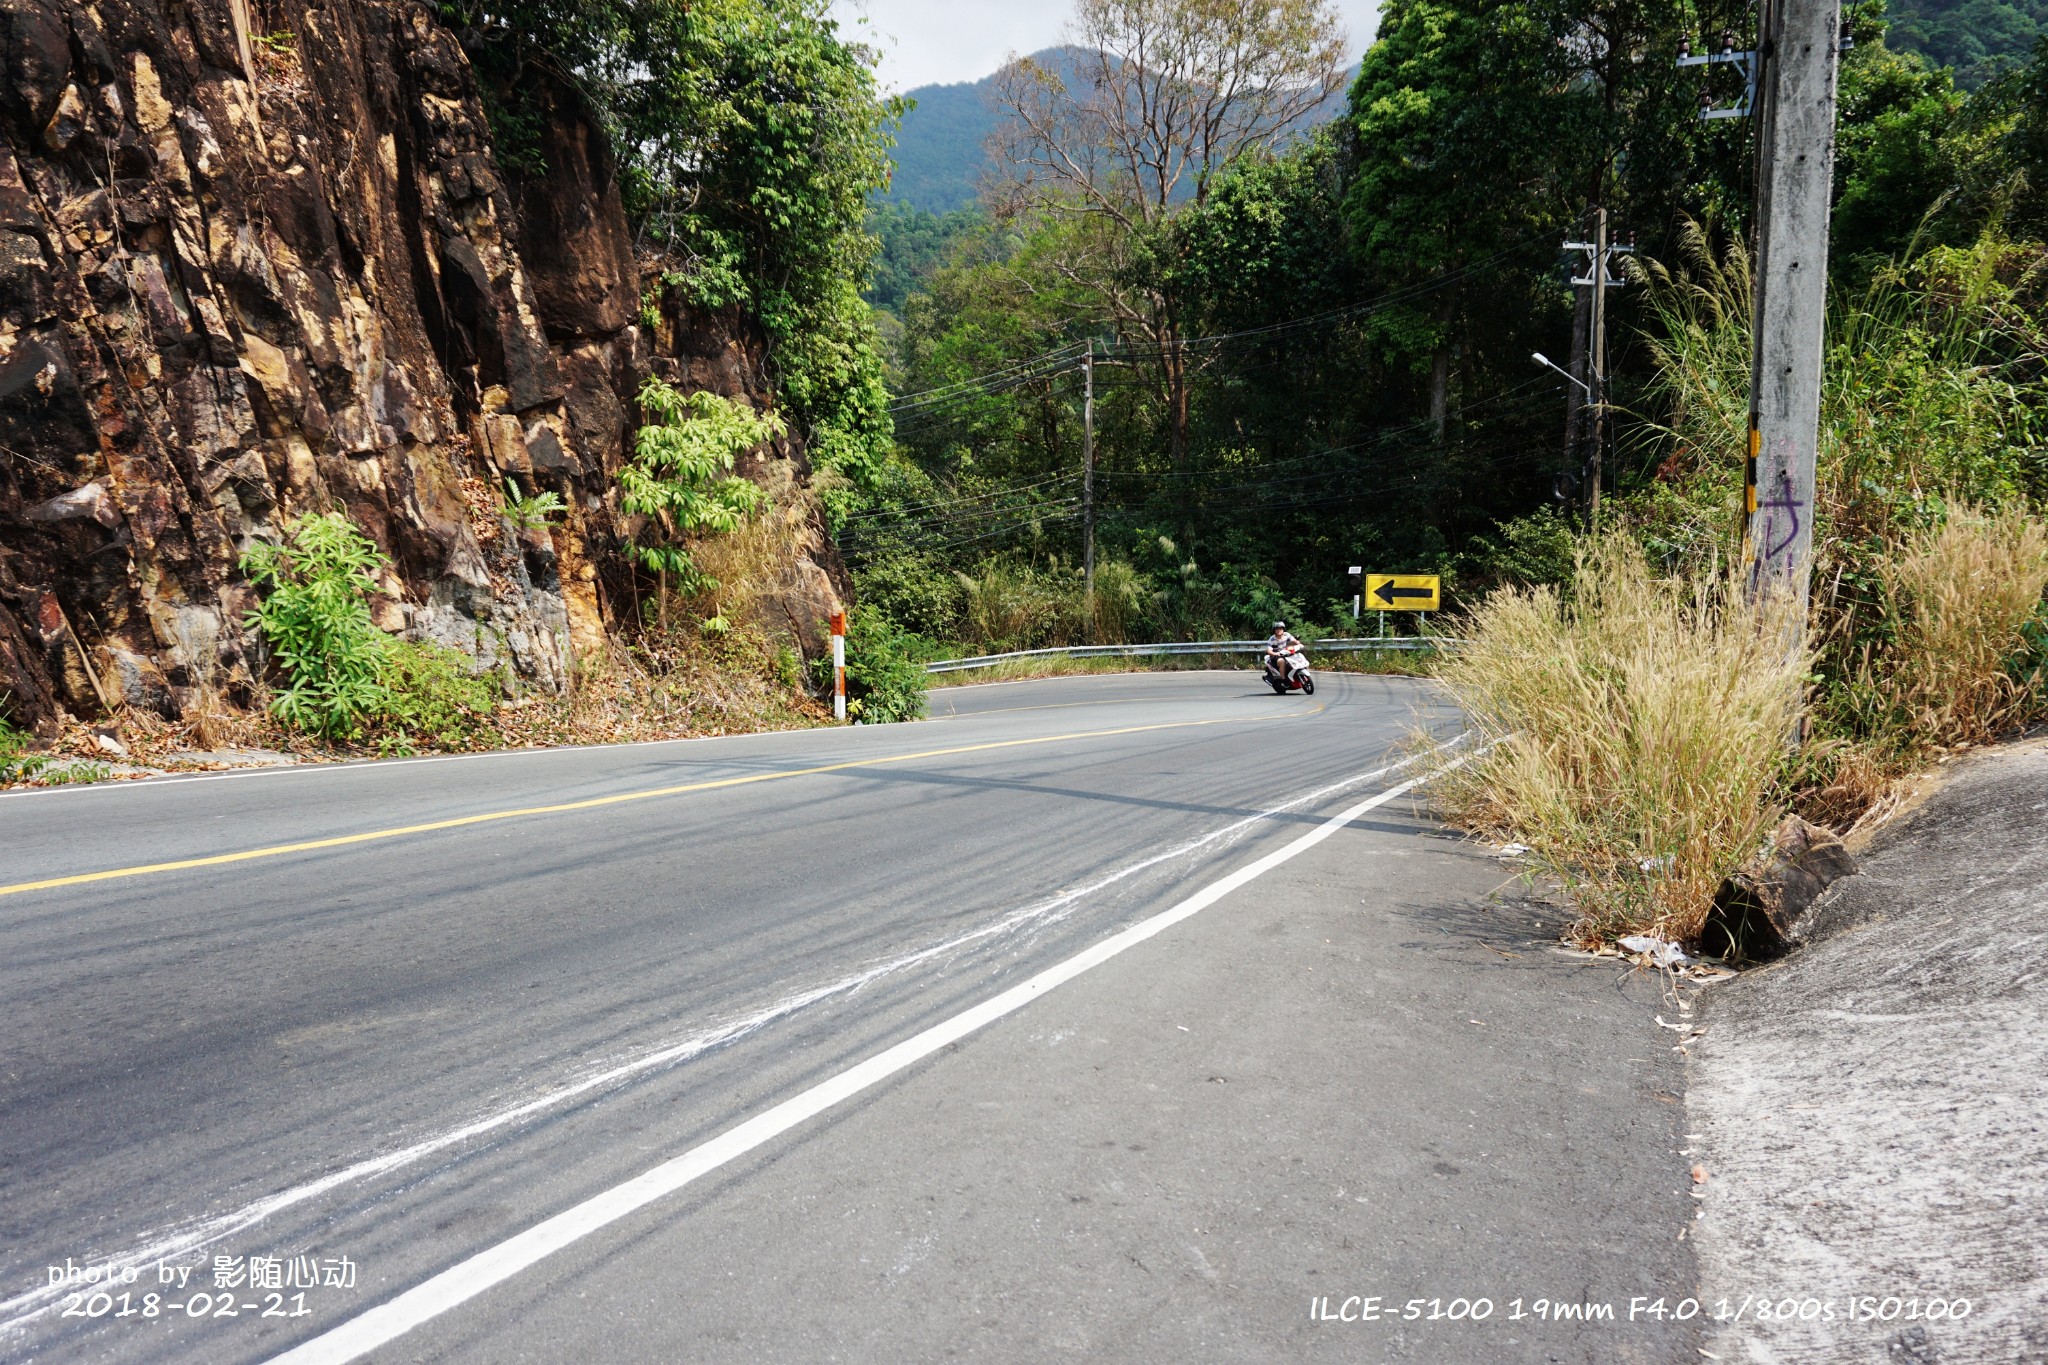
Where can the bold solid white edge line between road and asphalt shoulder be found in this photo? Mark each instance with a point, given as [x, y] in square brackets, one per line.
[507, 1260]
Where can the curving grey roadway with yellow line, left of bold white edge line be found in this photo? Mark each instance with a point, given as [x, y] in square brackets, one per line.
[398, 1012]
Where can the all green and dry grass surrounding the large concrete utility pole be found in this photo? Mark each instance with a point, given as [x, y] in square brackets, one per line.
[1644, 709]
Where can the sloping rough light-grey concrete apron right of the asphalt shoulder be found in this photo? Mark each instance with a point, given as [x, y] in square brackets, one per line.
[1873, 1108]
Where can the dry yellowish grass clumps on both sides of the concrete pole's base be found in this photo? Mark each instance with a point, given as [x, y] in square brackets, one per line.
[1641, 725]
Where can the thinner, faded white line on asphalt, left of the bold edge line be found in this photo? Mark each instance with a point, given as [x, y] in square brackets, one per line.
[177, 1241]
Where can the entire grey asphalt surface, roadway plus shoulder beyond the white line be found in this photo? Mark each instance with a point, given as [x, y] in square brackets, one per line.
[361, 1024]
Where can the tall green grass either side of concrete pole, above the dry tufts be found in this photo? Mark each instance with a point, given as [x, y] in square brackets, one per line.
[1932, 392]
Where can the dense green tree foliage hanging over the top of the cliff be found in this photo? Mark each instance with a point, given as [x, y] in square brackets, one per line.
[751, 138]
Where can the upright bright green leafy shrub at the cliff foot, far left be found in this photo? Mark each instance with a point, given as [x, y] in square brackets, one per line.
[318, 625]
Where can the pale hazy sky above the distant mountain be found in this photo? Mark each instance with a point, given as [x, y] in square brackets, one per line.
[943, 42]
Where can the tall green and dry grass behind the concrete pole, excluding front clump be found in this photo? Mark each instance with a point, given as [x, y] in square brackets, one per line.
[1930, 470]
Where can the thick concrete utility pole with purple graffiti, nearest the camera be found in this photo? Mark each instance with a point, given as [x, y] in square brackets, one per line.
[1797, 50]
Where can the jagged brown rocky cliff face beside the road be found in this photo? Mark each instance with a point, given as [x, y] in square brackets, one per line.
[259, 259]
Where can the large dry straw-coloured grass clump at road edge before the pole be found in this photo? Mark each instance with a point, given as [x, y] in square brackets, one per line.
[1637, 732]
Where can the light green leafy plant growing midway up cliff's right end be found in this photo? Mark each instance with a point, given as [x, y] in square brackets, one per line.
[681, 478]
